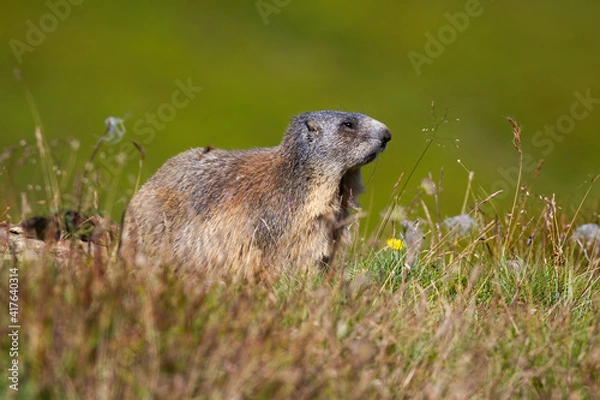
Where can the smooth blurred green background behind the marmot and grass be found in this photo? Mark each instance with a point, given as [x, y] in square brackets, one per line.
[260, 63]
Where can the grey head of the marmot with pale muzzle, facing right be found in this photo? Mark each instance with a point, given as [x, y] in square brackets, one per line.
[336, 140]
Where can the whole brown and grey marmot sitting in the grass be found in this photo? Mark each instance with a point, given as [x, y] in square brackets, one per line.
[242, 211]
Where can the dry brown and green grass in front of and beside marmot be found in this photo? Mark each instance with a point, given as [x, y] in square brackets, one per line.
[508, 309]
